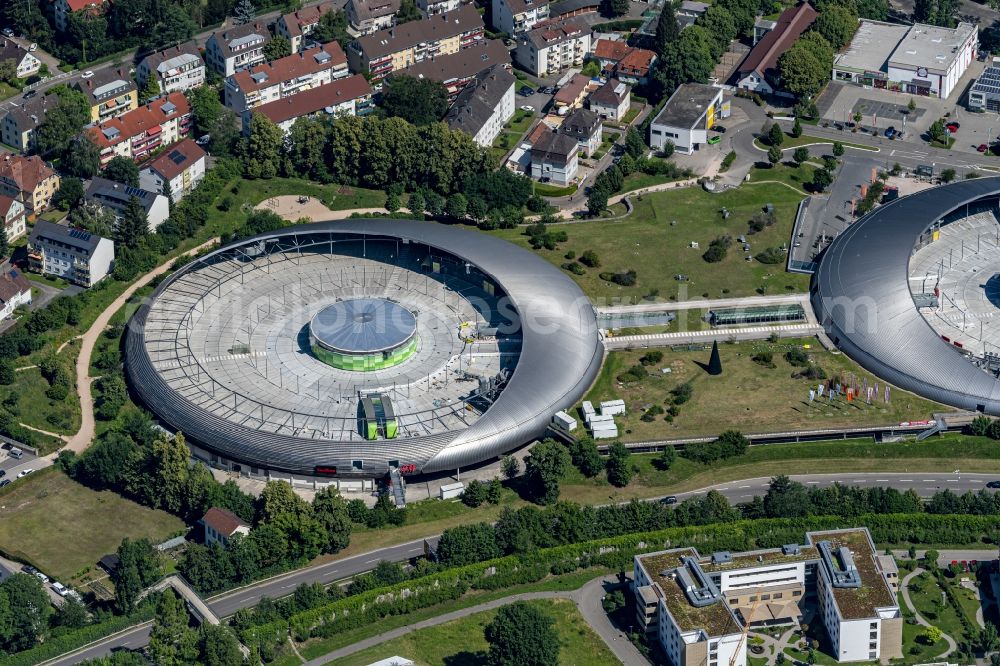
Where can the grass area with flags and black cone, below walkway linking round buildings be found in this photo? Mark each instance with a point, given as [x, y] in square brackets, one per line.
[746, 396]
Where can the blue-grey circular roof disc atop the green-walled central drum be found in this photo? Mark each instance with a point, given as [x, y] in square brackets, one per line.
[363, 326]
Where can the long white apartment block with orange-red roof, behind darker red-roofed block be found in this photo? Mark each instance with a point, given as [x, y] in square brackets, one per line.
[285, 77]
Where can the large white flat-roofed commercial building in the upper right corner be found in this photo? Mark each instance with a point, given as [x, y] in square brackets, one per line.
[917, 59]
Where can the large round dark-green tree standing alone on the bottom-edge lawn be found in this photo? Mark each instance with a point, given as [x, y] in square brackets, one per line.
[521, 635]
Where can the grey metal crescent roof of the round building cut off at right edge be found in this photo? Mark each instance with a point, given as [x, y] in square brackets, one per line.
[861, 295]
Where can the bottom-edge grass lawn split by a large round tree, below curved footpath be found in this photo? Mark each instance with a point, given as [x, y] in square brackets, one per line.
[462, 641]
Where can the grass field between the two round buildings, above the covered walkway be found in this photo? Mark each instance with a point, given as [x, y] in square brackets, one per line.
[650, 243]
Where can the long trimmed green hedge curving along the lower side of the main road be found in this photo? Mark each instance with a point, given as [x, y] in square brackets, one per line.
[617, 552]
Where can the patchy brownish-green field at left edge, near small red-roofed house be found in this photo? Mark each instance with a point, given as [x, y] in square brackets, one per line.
[62, 527]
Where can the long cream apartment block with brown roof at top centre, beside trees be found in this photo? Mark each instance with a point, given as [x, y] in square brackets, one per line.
[386, 51]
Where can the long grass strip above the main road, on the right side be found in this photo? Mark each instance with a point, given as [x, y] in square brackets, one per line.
[856, 455]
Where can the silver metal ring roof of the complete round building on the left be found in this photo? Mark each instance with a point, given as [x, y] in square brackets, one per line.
[561, 354]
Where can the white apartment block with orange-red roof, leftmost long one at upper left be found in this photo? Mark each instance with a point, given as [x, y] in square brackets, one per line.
[138, 133]
